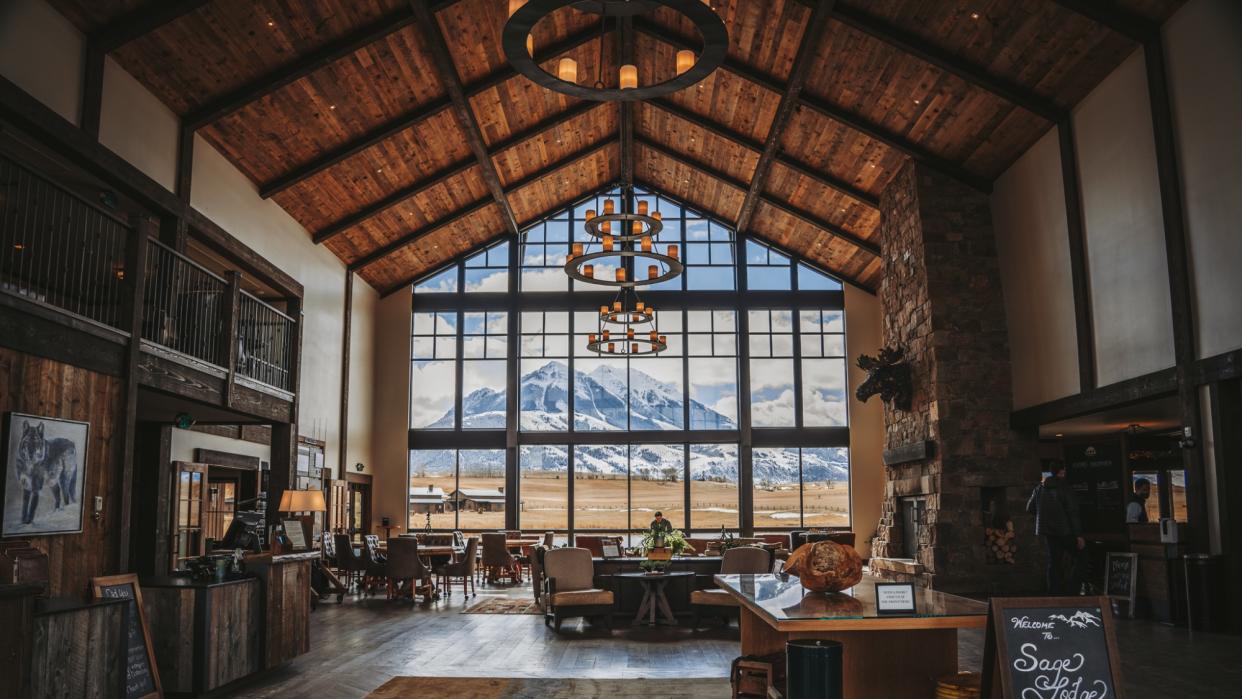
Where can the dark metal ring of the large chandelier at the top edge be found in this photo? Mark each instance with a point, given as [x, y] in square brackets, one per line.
[710, 25]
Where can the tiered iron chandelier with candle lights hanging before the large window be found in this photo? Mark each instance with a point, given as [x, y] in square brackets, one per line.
[628, 327]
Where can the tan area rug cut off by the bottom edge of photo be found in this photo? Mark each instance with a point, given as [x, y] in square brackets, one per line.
[507, 688]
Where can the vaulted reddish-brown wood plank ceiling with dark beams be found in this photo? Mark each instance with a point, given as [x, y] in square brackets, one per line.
[398, 135]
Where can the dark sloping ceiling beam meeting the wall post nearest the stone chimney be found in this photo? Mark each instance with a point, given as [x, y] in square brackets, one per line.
[948, 63]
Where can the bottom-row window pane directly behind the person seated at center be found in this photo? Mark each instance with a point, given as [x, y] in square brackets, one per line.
[656, 476]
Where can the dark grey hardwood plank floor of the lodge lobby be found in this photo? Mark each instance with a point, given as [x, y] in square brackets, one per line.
[361, 644]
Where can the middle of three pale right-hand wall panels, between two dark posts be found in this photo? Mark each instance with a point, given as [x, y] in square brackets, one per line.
[1126, 253]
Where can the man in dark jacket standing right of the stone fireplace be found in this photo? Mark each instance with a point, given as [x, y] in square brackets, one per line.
[1056, 522]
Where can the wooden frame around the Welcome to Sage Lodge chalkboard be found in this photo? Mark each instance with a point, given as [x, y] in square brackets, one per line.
[997, 681]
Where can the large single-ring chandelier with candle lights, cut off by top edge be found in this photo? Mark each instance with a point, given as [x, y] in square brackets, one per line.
[691, 69]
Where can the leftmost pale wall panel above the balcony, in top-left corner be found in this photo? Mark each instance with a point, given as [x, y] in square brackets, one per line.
[42, 53]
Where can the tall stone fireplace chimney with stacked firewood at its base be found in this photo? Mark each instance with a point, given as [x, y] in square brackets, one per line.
[957, 474]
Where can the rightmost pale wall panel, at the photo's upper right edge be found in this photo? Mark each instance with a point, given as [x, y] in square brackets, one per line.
[1204, 61]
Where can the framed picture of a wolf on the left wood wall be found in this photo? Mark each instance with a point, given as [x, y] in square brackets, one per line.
[44, 475]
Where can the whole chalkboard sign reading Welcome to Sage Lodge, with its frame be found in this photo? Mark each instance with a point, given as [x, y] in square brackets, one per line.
[1051, 647]
